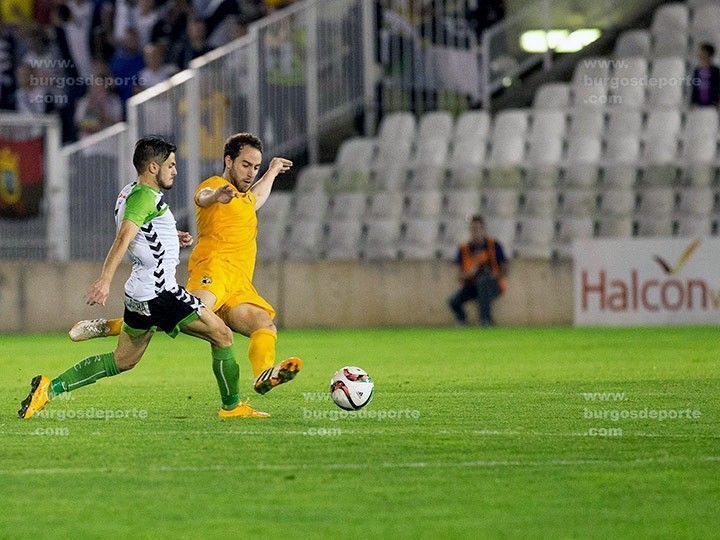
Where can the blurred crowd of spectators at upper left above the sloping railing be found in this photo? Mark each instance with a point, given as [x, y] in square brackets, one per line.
[83, 59]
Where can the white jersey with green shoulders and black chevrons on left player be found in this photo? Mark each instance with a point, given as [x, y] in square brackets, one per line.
[155, 250]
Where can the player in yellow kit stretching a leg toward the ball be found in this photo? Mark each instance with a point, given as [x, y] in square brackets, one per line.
[222, 264]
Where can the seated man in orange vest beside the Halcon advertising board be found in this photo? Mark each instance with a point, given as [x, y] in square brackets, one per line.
[482, 273]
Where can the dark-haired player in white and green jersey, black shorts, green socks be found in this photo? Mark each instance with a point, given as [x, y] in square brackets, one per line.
[153, 298]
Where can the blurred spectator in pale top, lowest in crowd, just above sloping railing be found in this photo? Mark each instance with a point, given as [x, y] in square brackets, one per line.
[101, 107]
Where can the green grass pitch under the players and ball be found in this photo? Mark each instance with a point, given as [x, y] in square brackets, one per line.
[533, 433]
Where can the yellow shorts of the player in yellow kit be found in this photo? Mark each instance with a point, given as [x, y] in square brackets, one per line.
[228, 285]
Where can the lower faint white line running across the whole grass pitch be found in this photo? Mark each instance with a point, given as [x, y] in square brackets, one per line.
[480, 464]
